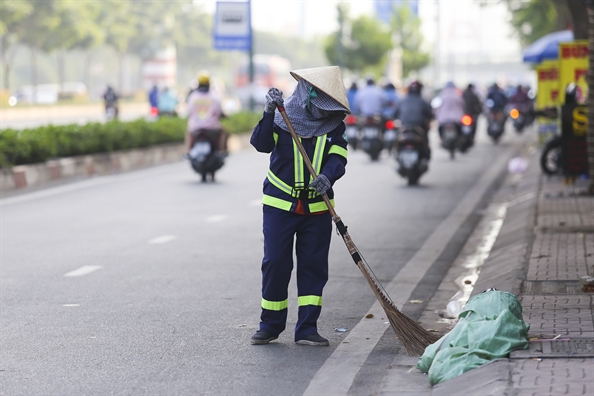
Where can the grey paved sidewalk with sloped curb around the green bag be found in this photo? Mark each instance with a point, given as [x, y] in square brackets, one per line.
[545, 245]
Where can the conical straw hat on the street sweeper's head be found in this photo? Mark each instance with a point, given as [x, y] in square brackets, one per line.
[327, 79]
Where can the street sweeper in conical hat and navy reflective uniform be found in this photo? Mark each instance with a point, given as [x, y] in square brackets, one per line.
[293, 207]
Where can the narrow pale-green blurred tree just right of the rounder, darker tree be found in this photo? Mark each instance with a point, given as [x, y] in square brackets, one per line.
[406, 28]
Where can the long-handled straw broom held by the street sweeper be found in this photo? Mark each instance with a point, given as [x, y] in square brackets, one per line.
[414, 338]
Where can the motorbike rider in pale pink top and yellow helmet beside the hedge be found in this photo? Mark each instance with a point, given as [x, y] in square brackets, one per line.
[204, 114]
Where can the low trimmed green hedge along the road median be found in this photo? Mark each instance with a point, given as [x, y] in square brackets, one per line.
[29, 146]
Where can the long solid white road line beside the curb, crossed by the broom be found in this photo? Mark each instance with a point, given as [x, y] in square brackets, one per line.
[338, 372]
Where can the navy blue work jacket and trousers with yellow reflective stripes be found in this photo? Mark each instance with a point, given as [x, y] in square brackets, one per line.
[292, 210]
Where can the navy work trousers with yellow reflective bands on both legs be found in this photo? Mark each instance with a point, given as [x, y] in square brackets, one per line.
[311, 234]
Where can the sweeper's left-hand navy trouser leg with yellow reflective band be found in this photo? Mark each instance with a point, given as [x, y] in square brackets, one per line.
[279, 230]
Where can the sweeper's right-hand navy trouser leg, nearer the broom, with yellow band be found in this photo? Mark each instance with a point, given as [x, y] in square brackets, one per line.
[312, 247]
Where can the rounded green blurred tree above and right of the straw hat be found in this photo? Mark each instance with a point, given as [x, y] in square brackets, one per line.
[365, 49]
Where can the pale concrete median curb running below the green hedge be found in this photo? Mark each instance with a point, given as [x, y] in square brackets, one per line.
[85, 166]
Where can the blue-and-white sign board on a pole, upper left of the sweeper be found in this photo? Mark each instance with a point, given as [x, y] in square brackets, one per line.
[232, 27]
